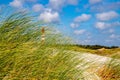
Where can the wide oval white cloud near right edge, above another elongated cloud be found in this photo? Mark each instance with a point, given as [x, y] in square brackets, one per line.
[105, 16]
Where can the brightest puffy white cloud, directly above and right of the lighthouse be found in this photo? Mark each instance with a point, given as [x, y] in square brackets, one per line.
[48, 16]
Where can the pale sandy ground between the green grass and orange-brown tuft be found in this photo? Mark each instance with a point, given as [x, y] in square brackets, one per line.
[95, 62]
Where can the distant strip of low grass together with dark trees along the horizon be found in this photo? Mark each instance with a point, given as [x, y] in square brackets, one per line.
[112, 51]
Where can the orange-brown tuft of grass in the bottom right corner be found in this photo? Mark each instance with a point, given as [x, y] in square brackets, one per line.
[110, 71]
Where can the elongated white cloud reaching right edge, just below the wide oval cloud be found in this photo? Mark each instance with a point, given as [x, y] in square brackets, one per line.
[104, 25]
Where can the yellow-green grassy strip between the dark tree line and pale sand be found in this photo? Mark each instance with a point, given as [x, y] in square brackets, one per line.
[109, 52]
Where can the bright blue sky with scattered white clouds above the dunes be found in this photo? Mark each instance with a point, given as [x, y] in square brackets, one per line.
[85, 21]
